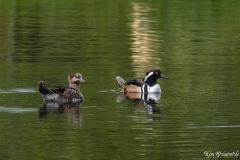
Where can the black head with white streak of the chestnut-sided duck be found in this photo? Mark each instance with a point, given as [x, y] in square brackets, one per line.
[152, 76]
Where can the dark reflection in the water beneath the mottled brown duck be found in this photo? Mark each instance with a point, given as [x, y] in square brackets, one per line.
[72, 109]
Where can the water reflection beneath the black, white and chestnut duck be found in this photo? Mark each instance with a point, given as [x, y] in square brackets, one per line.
[148, 100]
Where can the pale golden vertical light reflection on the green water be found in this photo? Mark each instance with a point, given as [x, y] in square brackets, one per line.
[144, 40]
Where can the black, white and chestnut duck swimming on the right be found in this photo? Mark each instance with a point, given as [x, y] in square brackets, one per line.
[147, 85]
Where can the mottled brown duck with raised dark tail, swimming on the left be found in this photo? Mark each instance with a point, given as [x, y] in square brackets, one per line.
[71, 93]
